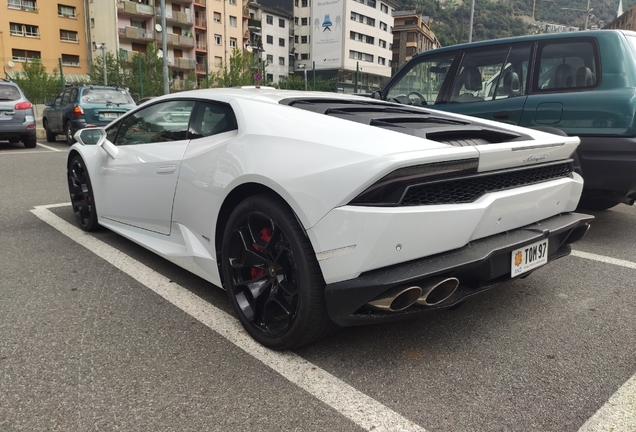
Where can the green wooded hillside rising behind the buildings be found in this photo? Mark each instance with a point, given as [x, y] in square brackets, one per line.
[502, 18]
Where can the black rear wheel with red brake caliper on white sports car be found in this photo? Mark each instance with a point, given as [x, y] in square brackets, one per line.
[271, 274]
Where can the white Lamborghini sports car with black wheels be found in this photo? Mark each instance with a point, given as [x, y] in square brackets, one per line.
[317, 209]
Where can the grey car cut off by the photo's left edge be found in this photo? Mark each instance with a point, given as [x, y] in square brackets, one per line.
[17, 120]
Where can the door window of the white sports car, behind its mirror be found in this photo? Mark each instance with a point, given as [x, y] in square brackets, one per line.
[160, 122]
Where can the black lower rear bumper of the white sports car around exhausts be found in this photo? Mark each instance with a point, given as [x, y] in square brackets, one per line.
[480, 265]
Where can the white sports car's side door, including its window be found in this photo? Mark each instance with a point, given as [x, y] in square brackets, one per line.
[137, 187]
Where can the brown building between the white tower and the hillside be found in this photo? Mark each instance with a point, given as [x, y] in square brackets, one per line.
[412, 34]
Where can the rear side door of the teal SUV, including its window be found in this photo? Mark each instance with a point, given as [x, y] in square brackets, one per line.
[490, 83]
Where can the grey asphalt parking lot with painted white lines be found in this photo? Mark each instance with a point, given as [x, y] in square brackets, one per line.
[96, 333]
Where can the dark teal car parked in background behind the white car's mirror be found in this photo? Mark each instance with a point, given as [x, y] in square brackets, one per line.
[87, 106]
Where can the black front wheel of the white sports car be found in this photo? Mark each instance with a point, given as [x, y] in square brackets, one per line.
[81, 192]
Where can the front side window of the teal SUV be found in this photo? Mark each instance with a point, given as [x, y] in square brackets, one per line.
[421, 84]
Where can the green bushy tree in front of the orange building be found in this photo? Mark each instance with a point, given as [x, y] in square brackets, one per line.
[38, 86]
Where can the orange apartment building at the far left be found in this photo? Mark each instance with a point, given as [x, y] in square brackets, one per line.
[49, 30]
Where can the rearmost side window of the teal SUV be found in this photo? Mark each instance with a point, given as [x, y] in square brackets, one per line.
[568, 65]
